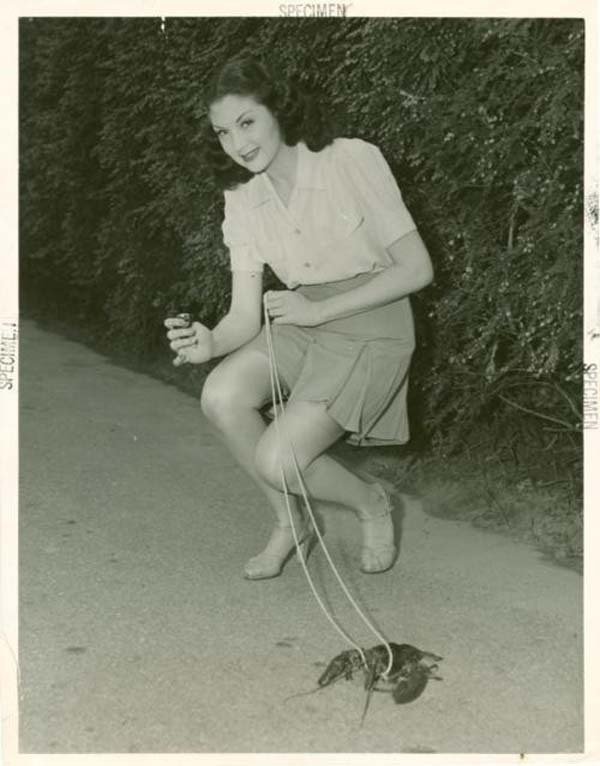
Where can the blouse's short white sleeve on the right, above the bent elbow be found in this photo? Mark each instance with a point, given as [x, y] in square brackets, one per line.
[372, 184]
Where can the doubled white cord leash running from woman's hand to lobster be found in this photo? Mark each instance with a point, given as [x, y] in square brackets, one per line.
[277, 398]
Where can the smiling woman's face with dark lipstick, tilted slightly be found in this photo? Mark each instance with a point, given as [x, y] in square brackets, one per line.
[247, 130]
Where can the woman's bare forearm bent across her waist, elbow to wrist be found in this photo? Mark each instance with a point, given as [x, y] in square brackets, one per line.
[410, 272]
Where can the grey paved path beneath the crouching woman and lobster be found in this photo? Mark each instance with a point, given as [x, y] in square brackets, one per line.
[138, 633]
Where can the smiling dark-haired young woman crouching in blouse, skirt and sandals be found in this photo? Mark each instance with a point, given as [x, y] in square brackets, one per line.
[327, 216]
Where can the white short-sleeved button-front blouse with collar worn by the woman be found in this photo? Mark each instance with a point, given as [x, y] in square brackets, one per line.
[344, 211]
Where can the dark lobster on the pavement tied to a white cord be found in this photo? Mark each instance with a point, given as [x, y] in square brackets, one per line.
[407, 678]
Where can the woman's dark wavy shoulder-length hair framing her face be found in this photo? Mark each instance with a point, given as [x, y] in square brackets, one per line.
[300, 115]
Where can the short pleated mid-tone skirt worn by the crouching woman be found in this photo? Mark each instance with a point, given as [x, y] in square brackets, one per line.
[358, 366]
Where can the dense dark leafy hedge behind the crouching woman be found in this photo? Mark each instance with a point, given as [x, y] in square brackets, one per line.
[480, 119]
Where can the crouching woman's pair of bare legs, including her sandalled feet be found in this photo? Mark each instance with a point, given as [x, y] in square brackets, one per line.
[232, 397]
